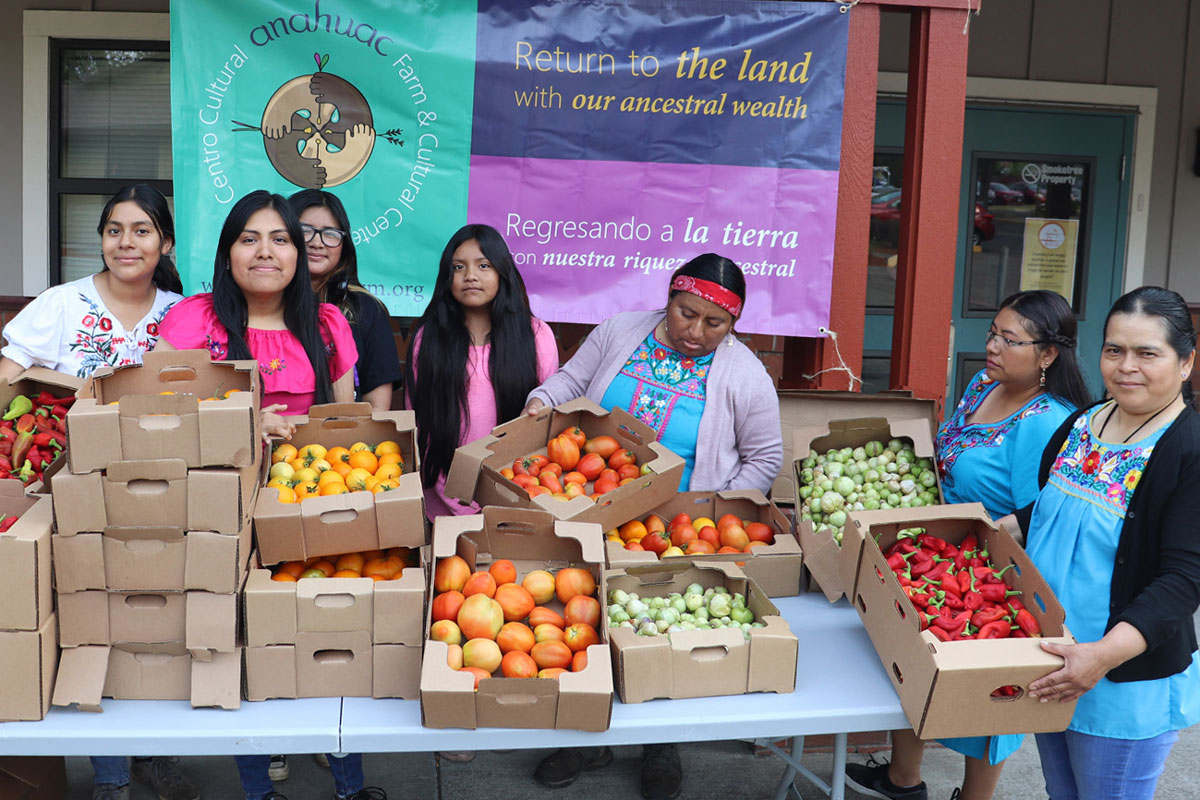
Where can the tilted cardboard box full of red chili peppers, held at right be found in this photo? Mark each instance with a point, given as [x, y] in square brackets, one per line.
[956, 611]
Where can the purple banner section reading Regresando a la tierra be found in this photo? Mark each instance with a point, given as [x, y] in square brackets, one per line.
[596, 238]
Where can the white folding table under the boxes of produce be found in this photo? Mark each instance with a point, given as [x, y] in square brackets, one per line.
[841, 689]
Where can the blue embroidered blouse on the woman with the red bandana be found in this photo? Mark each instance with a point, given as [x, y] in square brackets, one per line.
[664, 389]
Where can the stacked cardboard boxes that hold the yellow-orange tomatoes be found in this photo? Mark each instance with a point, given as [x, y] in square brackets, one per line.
[341, 637]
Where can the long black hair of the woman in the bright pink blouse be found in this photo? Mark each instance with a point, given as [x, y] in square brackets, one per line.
[299, 303]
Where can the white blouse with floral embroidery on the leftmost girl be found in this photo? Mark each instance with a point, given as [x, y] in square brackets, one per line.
[68, 328]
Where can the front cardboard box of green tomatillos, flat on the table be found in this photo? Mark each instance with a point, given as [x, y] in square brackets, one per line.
[729, 639]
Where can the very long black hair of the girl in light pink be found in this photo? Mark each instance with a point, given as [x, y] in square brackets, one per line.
[439, 384]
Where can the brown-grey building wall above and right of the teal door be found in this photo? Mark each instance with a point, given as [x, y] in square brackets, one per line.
[1118, 43]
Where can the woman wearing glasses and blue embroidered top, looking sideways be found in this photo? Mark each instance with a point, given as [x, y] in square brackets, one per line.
[988, 453]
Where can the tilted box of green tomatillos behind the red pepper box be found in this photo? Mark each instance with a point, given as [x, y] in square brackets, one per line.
[847, 465]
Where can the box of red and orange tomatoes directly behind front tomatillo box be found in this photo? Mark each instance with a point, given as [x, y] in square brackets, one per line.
[742, 527]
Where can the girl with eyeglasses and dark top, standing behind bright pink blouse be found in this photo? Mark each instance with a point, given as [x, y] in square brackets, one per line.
[333, 268]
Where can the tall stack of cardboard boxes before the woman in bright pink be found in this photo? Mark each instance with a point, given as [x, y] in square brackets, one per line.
[153, 531]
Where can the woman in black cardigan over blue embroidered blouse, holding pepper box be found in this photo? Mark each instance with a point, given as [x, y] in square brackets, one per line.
[1114, 534]
